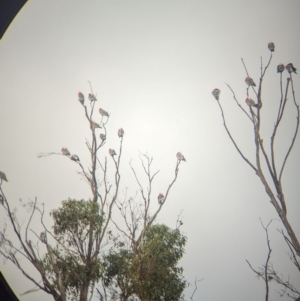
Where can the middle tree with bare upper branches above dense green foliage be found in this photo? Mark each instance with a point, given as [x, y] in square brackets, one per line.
[143, 270]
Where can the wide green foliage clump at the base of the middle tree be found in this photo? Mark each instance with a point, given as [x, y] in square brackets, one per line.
[150, 272]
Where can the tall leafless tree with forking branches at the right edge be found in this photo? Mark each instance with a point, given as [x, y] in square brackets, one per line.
[274, 188]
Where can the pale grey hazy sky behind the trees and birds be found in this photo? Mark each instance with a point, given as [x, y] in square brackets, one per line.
[153, 65]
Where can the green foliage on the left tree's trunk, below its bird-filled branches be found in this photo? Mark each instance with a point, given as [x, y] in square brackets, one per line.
[74, 222]
